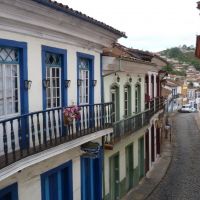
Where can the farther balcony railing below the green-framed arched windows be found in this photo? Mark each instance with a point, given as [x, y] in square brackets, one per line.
[132, 124]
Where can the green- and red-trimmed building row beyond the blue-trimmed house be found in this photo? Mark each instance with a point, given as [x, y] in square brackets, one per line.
[132, 83]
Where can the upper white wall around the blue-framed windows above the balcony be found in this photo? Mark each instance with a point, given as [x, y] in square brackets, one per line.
[35, 68]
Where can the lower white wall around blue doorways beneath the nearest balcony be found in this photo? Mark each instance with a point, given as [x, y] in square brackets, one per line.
[29, 181]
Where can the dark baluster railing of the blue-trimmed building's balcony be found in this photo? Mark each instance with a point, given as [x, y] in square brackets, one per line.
[35, 132]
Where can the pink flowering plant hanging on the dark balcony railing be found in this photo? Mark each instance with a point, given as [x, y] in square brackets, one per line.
[70, 114]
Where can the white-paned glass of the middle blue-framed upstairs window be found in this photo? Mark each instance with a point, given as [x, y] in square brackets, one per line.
[53, 74]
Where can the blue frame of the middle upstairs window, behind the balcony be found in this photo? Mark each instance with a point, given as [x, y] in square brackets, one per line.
[63, 53]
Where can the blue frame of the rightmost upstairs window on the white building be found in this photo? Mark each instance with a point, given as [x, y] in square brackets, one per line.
[91, 69]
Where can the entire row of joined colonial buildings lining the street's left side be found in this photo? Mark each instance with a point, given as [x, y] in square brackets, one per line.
[64, 101]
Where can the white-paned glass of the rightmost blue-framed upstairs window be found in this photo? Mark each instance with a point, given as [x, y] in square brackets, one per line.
[84, 75]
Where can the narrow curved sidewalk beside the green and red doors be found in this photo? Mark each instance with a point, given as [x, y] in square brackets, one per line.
[153, 178]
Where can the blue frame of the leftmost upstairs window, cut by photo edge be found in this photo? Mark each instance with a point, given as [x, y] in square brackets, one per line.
[23, 66]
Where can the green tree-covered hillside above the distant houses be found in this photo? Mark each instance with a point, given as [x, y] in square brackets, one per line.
[184, 55]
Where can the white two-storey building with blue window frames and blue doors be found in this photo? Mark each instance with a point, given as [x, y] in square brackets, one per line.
[58, 50]
